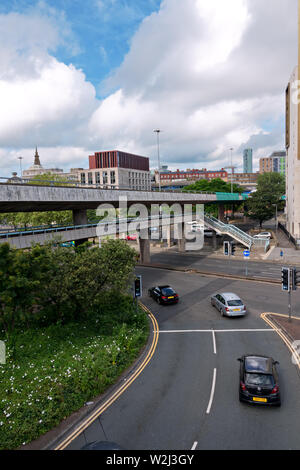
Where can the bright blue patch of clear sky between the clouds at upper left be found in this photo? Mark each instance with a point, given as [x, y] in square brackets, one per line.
[100, 30]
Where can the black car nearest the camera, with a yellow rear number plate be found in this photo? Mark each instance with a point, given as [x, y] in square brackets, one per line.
[259, 380]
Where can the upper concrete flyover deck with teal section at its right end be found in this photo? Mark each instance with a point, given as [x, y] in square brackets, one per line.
[25, 197]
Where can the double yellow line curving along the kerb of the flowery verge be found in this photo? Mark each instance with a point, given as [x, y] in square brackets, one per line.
[120, 390]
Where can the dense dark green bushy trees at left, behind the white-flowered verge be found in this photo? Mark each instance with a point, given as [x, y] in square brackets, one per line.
[50, 284]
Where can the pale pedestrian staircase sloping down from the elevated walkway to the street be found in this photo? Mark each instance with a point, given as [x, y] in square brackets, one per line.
[236, 233]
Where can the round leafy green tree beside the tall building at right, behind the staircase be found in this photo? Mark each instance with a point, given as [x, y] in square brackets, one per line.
[261, 205]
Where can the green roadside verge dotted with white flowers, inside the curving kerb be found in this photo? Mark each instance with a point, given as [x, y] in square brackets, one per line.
[56, 369]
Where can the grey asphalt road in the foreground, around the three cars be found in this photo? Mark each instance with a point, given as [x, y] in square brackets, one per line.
[175, 403]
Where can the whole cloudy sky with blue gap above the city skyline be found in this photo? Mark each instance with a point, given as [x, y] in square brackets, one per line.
[83, 76]
